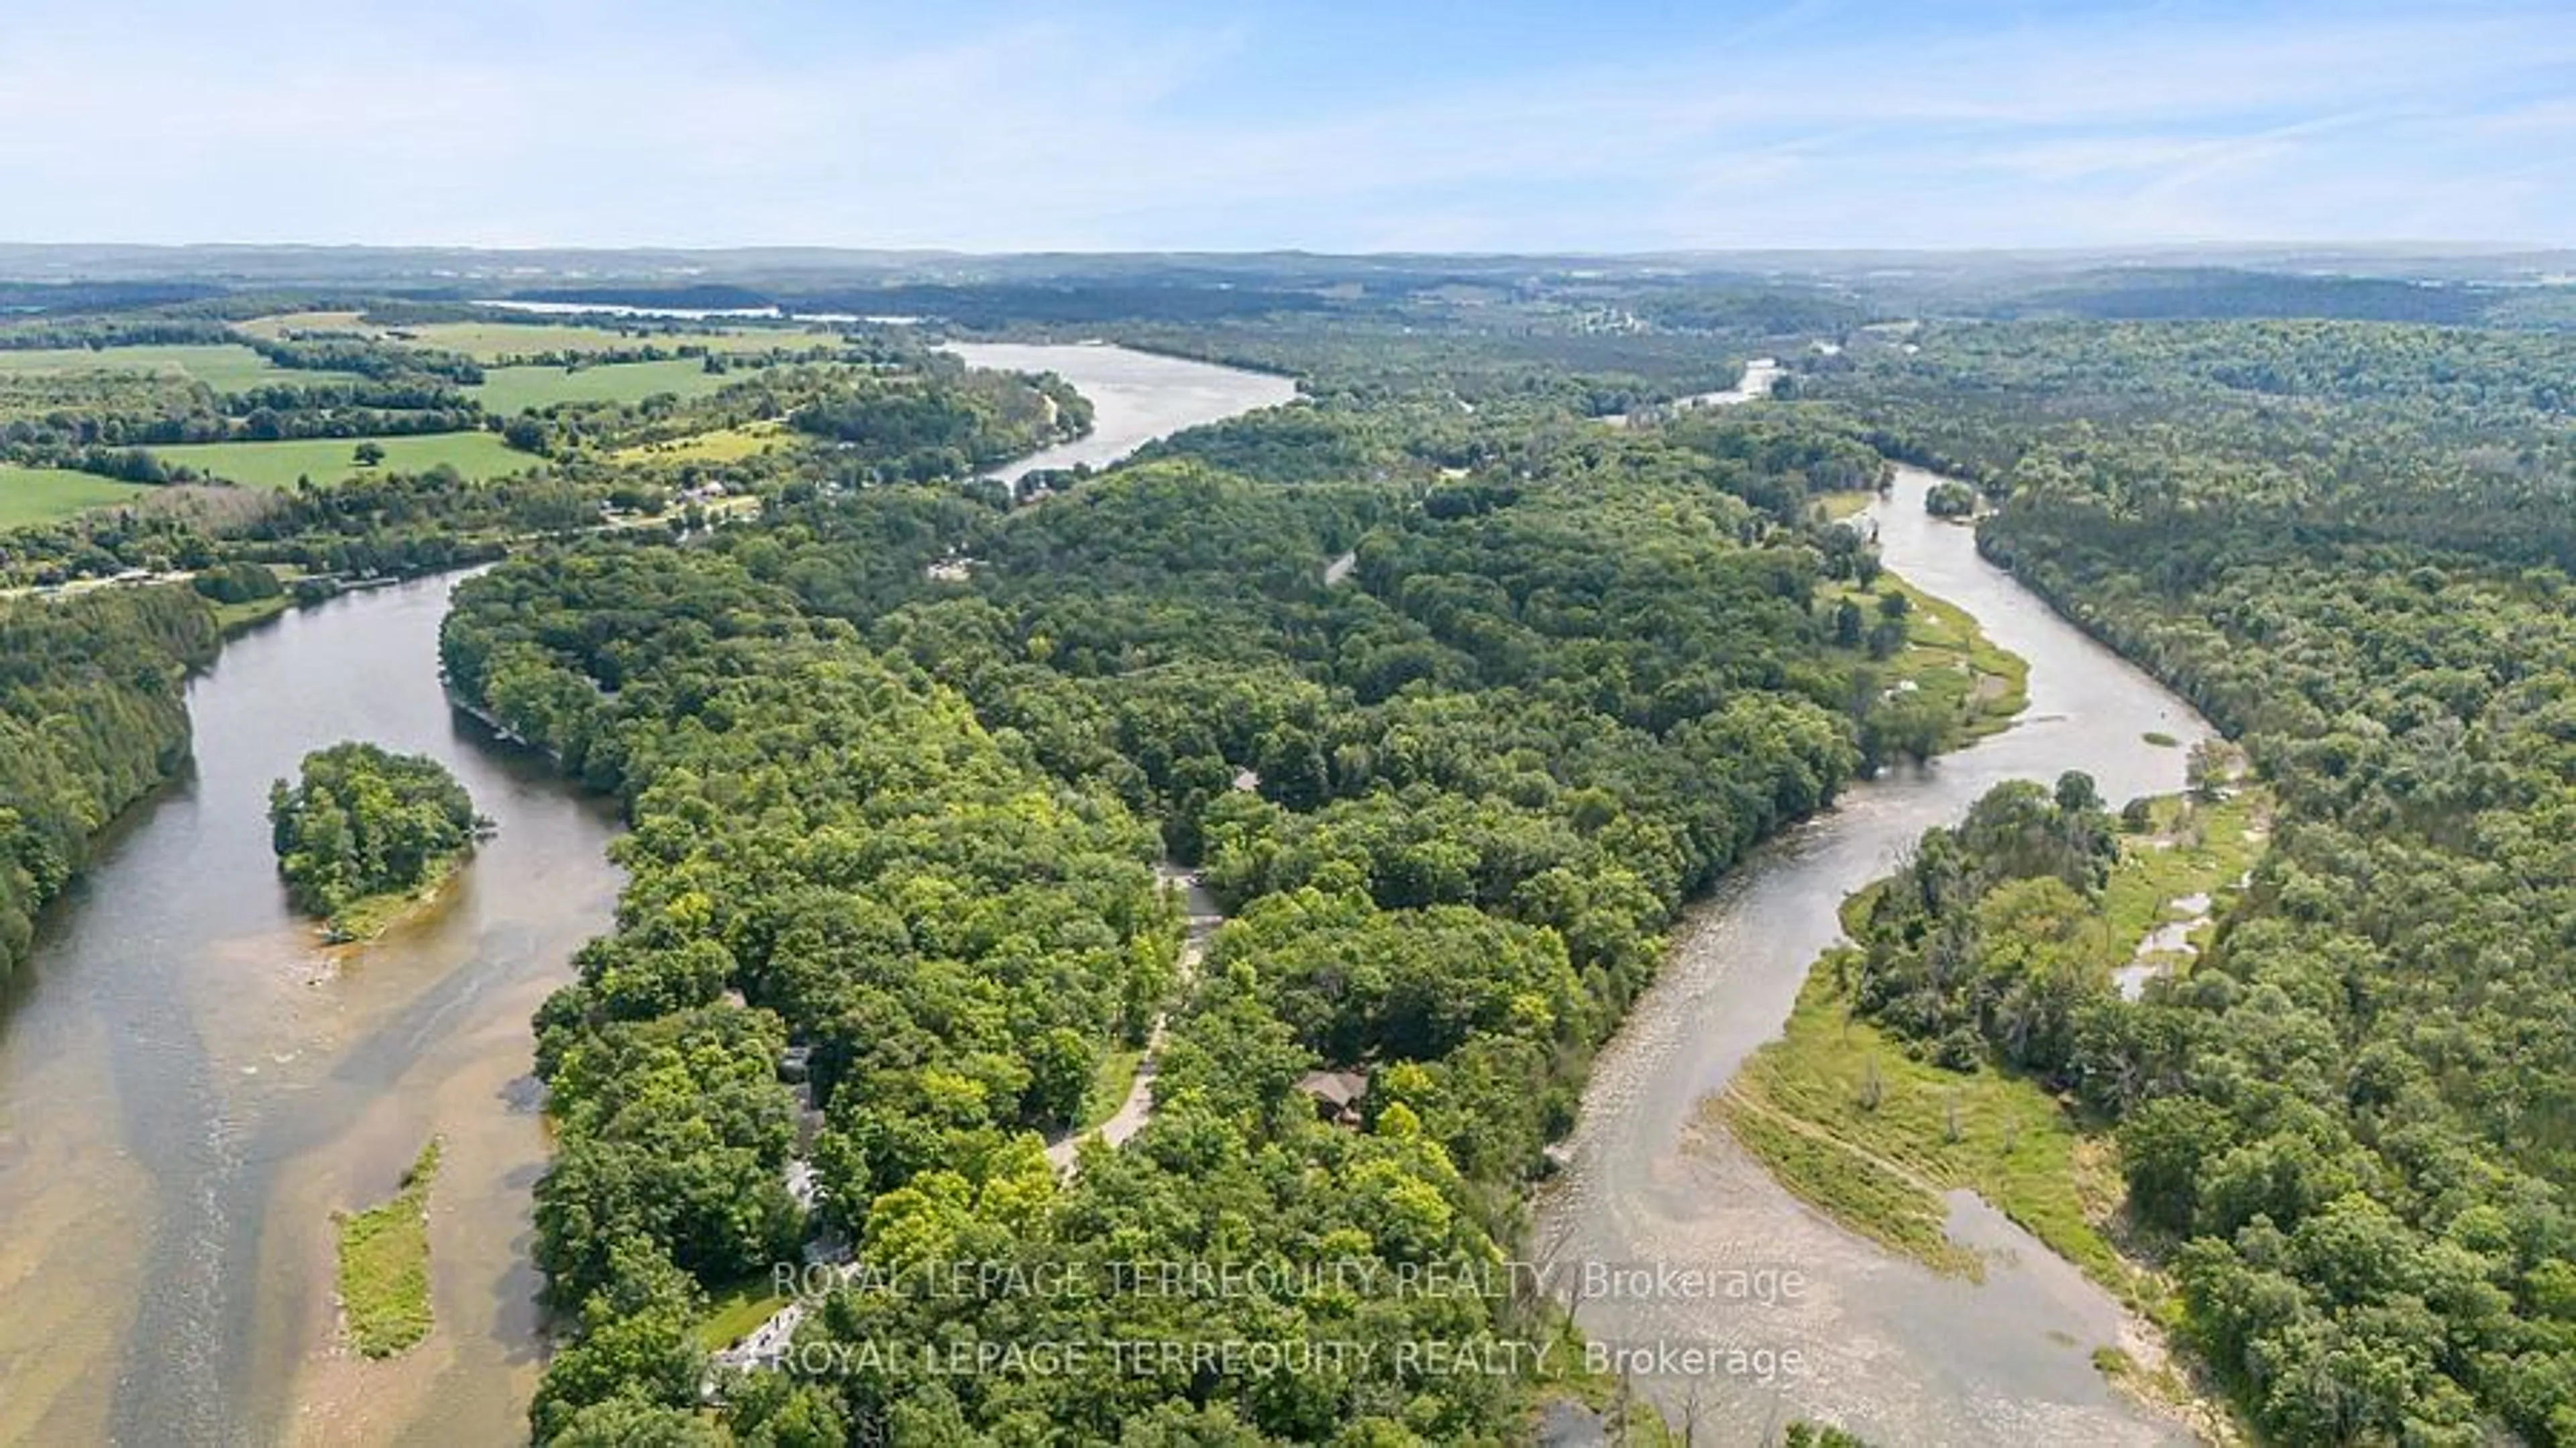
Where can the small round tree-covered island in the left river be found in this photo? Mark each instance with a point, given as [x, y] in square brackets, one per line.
[367, 834]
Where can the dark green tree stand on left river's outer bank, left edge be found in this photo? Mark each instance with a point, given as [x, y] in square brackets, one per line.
[91, 720]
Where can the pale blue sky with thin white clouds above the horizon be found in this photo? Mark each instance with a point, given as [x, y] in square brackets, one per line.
[1325, 125]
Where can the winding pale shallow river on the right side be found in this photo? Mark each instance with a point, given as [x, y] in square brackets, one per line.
[1884, 1346]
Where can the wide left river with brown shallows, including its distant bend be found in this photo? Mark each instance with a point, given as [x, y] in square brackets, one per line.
[192, 1086]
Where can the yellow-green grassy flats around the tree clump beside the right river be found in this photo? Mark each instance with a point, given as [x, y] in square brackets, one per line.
[1874, 1127]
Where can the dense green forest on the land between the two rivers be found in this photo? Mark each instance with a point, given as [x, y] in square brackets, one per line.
[1452, 805]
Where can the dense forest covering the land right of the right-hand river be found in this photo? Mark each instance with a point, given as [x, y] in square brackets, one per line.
[2353, 1122]
